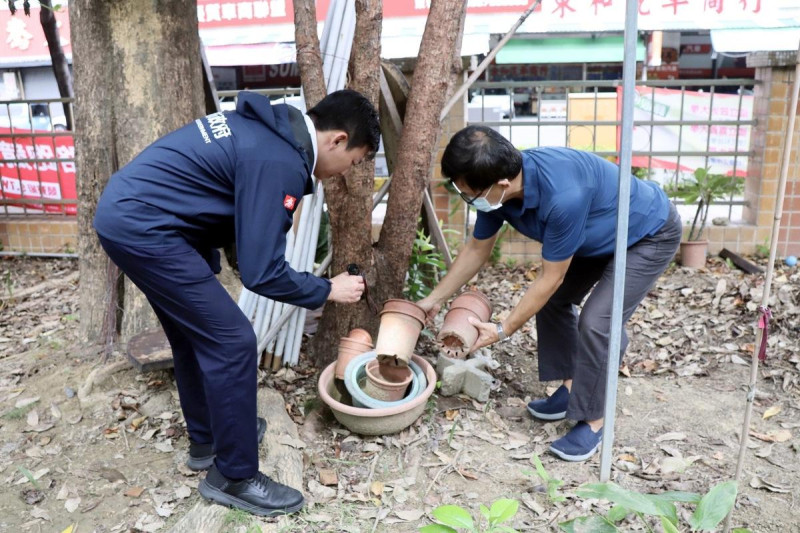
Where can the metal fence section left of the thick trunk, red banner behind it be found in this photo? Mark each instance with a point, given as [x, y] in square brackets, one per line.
[37, 158]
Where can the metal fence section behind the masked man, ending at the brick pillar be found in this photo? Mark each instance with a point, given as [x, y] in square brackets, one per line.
[679, 125]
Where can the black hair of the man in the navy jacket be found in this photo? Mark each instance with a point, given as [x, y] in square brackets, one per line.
[351, 112]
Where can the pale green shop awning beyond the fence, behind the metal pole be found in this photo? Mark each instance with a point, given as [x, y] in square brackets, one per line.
[566, 50]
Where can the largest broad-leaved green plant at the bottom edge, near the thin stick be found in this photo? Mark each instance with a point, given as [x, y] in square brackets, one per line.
[710, 511]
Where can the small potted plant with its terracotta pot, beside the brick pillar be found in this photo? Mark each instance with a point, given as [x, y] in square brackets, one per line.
[702, 188]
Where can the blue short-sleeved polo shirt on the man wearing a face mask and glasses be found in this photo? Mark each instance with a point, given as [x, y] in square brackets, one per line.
[570, 205]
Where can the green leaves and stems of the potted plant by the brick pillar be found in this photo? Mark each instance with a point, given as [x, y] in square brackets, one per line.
[704, 188]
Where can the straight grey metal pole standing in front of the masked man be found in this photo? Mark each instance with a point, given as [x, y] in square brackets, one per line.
[620, 252]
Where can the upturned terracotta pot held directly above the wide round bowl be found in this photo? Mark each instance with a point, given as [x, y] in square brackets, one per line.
[401, 323]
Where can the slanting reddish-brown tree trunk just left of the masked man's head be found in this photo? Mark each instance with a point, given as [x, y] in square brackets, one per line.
[429, 88]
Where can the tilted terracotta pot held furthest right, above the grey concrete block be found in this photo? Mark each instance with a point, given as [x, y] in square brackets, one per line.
[457, 335]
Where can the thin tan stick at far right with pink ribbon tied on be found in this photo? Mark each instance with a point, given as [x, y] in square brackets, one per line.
[773, 249]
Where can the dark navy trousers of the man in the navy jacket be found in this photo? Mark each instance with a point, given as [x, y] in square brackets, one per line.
[213, 347]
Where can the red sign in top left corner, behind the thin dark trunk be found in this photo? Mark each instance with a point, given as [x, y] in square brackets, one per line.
[21, 36]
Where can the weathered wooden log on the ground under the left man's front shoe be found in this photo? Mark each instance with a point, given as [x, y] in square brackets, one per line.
[280, 457]
